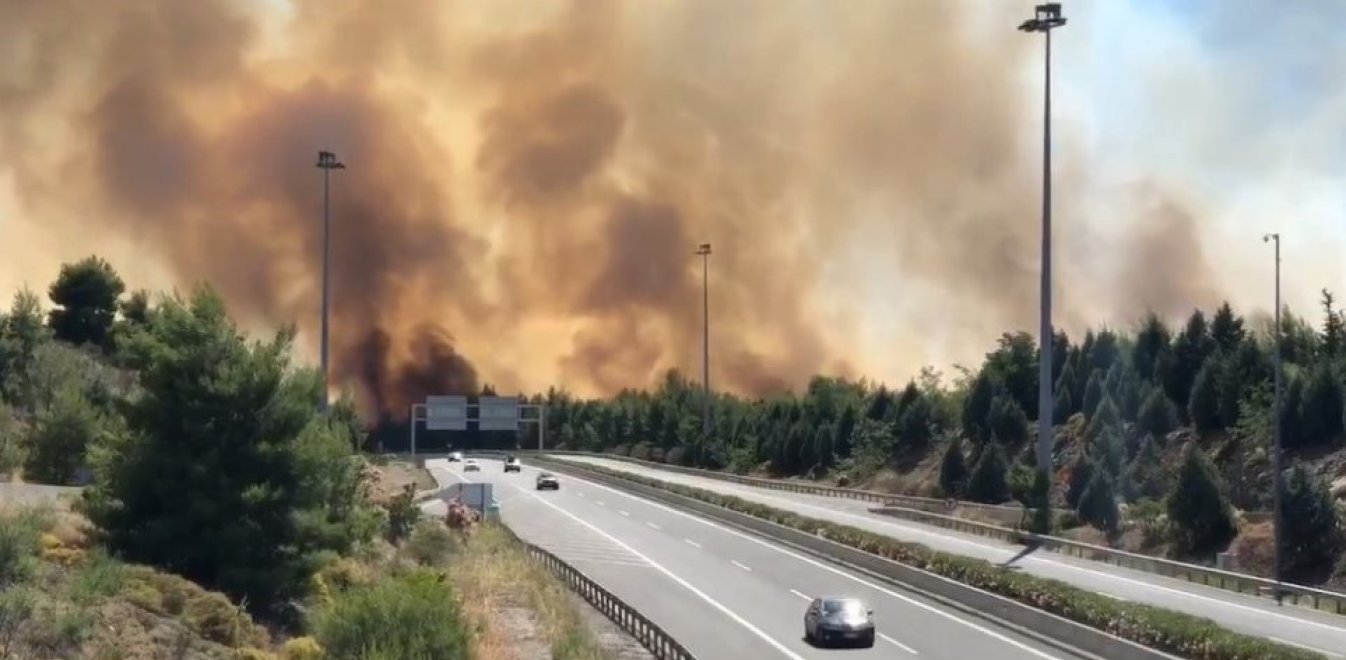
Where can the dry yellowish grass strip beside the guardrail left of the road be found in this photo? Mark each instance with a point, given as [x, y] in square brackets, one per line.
[520, 611]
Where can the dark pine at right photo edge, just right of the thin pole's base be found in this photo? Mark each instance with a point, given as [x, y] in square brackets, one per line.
[1313, 535]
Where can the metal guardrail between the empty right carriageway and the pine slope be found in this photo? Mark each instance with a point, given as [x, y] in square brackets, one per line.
[1296, 595]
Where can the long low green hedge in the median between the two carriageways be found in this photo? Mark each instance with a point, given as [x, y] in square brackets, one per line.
[1168, 631]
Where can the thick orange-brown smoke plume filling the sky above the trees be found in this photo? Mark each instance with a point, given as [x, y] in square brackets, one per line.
[528, 181]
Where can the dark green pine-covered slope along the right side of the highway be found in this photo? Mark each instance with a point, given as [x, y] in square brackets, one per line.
[1162, 440]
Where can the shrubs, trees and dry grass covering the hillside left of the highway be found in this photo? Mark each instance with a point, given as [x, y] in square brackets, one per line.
[223, 517]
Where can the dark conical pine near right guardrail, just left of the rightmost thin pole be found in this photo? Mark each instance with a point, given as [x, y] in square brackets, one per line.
[1200, 507]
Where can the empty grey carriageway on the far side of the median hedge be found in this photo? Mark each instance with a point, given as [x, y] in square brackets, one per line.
[1320, 632]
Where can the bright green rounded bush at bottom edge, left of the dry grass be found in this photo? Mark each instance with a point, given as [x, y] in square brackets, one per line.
[414, 615]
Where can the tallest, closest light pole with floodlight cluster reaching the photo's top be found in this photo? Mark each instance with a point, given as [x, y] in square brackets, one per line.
[1047, 18]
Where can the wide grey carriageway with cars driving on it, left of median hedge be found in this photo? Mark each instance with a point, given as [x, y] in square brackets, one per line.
[722, 593]
